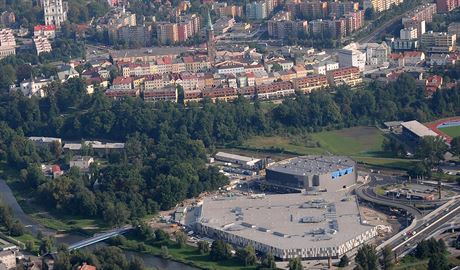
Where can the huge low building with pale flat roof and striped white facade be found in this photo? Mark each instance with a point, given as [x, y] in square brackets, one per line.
[288, 226]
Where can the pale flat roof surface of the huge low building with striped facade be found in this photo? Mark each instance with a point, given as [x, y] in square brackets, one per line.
[281, 222]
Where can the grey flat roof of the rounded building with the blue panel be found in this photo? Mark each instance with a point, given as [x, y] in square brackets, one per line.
[312, 165]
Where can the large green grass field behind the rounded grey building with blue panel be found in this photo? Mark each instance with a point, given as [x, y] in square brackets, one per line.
[364, 144]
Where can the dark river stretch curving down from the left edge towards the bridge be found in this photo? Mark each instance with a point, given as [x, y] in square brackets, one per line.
[8, 198]
